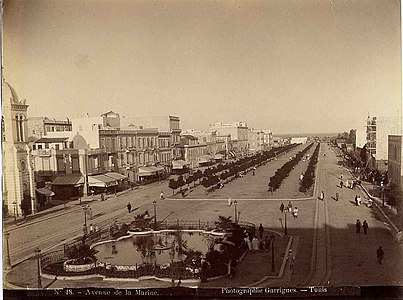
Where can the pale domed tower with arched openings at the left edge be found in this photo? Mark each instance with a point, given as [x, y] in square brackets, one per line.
[18, 176]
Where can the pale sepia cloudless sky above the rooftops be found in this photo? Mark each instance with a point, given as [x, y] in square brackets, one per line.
[289, 66]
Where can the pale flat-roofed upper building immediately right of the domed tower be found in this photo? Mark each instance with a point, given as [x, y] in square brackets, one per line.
[40, 126]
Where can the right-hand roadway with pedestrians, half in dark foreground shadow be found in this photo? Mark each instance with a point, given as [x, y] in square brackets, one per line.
[341, 256]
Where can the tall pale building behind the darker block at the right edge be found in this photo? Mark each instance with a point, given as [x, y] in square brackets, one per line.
[378, 129]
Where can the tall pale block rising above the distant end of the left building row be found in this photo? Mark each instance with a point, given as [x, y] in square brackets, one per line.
[238, 132]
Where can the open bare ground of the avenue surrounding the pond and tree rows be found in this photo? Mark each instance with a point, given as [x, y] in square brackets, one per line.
[340, 223]
